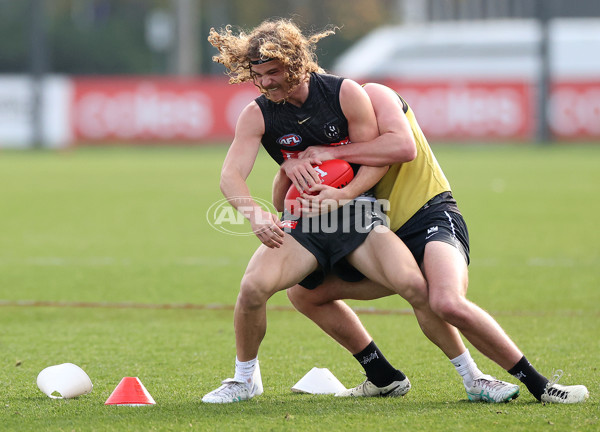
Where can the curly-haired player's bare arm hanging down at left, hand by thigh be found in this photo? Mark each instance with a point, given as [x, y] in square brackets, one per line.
[236, 169]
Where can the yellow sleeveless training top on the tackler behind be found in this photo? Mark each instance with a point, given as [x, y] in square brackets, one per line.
[408, 186]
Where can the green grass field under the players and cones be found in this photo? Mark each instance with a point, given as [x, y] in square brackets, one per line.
[107, 261]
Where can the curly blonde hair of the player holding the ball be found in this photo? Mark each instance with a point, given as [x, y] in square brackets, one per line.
[277, 39]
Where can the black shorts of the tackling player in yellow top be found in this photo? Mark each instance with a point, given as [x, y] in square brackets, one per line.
[438, 220]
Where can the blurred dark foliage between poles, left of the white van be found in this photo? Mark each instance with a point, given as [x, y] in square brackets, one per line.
[110, 36]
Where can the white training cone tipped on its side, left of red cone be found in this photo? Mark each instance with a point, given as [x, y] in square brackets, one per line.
[64, 381]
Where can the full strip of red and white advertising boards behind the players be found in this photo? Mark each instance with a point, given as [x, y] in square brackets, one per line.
[204, 110]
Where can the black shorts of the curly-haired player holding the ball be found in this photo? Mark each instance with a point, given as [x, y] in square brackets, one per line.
[332, 236]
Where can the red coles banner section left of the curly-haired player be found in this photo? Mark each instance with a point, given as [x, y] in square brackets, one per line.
[138, 109]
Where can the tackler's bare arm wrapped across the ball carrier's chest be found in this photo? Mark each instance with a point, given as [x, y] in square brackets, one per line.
[395, 143]
